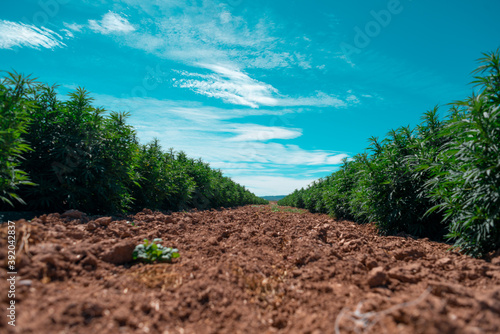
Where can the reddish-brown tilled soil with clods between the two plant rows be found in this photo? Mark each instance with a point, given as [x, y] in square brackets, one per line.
[254, 269]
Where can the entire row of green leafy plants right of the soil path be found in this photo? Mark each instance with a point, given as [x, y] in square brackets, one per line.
[439, 179]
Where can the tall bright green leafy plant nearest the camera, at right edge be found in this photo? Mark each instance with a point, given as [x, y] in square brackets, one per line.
[466, 181]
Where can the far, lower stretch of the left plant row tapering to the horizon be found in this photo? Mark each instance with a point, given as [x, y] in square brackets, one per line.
[173, 181]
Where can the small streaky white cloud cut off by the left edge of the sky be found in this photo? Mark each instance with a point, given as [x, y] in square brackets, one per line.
[14, 34]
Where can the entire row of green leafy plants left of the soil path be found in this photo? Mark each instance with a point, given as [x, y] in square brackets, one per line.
[57, 155]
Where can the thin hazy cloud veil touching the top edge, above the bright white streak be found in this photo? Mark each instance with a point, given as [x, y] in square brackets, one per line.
[210, 32]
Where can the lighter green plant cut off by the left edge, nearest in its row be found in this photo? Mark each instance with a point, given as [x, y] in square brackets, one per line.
[14, 121]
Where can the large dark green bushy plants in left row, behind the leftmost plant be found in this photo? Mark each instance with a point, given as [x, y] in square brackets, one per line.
[81, 158]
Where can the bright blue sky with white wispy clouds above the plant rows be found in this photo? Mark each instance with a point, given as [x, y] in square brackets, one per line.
[274, 93]
